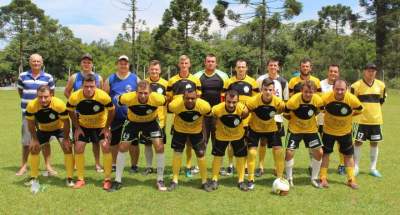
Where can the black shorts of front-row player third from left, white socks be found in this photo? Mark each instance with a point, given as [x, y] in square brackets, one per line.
[136, 132]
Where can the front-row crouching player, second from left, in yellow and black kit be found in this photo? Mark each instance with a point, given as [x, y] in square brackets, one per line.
[96, 112]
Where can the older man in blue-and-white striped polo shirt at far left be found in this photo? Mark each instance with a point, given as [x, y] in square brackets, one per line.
[27, 84]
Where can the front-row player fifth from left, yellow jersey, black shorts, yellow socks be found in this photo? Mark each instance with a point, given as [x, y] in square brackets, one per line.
[229, 131]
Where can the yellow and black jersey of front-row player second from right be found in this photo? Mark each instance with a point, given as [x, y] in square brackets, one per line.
[303, 114]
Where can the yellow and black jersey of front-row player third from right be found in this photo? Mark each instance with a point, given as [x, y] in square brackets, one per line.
[262, 117]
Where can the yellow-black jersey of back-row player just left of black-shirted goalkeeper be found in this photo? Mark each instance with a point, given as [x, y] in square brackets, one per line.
[178, 85]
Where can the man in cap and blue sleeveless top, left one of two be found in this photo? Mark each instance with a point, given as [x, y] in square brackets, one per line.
[75, 83]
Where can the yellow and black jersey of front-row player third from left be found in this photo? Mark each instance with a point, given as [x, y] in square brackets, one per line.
[139, 112]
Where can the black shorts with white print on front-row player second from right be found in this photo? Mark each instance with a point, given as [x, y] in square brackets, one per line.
[311, 140]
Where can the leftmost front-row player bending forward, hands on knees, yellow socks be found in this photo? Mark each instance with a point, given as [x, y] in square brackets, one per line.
[51, 116]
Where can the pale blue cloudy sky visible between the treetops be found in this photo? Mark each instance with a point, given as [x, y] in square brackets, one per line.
[102, 19]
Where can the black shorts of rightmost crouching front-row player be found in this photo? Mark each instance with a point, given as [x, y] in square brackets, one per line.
[345, 143]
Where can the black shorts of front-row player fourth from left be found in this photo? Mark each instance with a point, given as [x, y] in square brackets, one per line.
[179, 141]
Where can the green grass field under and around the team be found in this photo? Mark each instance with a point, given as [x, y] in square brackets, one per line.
[139, 196]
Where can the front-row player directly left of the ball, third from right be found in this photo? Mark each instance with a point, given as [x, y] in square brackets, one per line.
[262, 126]
